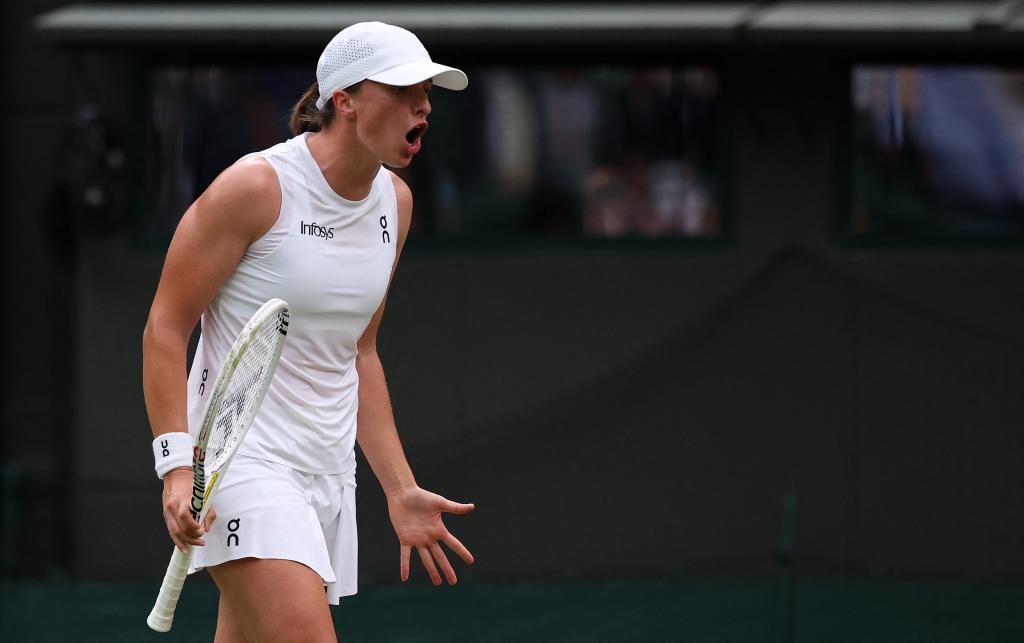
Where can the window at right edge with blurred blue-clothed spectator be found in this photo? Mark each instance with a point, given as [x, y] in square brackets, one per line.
[947, 151]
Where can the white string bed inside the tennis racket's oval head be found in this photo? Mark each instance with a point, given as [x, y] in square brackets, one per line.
[243, 393]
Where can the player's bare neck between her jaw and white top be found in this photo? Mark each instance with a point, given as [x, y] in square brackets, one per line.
[348, 166]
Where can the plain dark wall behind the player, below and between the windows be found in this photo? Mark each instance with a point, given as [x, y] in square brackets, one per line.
[613, 413]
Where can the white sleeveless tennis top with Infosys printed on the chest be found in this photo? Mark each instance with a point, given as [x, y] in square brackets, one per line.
[331, 261]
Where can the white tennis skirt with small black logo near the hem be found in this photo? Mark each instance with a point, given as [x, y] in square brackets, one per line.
[269, 510]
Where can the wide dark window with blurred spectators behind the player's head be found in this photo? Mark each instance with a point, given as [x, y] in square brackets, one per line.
[600, 152]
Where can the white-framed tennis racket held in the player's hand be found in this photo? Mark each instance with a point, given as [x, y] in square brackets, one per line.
[234, 401]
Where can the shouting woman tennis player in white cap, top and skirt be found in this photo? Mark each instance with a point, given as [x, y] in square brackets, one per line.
[319, 223]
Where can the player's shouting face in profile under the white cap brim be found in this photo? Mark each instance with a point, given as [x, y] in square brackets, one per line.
[391, 121]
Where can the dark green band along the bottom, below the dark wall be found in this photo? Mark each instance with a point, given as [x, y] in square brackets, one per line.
[696, 611]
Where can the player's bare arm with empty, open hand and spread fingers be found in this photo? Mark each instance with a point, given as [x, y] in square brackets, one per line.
[415, 512]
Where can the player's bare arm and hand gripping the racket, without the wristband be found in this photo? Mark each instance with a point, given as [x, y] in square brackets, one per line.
[238, 208]
